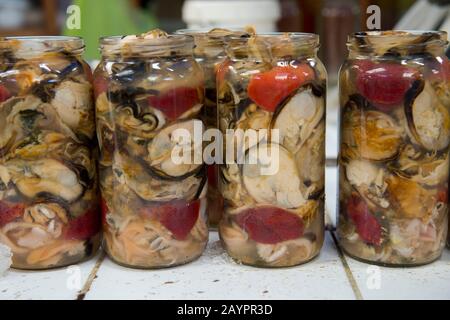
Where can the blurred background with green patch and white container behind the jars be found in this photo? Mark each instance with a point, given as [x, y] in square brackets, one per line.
[332, 19]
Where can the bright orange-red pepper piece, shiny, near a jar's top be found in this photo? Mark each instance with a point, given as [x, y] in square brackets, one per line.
[269, 89]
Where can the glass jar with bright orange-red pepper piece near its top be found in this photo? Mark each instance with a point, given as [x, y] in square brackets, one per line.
[271, 100]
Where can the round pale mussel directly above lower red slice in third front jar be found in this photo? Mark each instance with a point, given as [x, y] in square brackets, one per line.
[281, 184]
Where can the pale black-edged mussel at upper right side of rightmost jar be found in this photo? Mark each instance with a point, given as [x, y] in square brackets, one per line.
[428, 119]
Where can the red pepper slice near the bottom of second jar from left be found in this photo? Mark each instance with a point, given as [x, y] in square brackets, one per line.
[179, 217]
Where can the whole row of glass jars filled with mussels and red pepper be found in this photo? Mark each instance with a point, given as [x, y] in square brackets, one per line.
[263, 99]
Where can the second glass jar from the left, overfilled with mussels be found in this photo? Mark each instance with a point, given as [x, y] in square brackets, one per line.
[149, 89]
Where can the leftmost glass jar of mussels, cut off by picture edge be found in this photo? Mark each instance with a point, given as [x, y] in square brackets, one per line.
[49, 208]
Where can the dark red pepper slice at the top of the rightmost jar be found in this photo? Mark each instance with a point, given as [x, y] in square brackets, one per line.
[384, 84]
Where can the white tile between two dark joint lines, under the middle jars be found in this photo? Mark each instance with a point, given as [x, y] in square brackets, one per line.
[216, 276]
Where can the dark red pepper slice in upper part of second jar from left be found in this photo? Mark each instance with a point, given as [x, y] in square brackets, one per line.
[174, 102]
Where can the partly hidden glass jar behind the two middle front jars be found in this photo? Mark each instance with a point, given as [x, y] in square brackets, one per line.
[210, 53]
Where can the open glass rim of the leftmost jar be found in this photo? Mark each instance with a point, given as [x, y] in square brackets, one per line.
[52, 43]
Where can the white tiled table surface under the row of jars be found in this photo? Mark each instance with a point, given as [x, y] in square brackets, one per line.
[216, 276]
